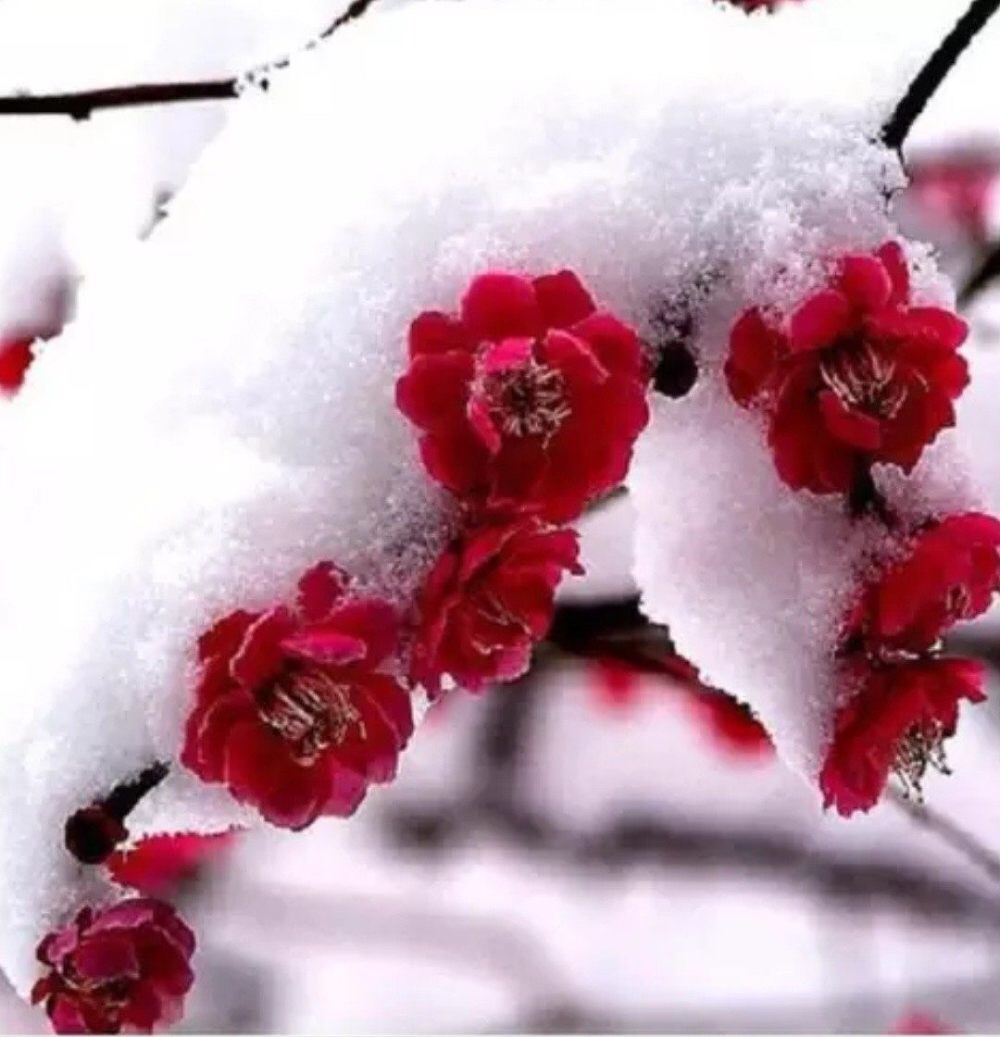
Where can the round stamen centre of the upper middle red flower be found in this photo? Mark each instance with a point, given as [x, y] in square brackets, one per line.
[527, 401]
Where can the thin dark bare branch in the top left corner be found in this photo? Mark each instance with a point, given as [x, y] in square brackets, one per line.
[84, 104]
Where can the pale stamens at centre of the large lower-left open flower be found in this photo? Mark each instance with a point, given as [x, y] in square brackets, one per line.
[310, 710]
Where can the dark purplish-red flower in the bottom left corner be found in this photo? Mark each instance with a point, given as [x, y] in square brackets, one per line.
[125, 968]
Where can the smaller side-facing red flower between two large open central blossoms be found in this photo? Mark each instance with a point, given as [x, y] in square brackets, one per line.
[488, 601]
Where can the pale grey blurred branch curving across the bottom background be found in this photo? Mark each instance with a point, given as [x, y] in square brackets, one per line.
[517, 958]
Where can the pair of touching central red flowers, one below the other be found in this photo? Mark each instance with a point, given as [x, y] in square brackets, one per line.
[529, 403]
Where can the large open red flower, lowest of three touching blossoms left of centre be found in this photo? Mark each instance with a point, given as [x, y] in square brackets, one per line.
[293, 714]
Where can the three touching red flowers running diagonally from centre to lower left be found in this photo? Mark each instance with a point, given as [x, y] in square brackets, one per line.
[299, 709]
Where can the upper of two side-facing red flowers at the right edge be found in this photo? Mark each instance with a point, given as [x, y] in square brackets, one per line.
[951, 574]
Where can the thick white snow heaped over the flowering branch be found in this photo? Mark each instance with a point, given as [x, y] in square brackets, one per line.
[220, 415]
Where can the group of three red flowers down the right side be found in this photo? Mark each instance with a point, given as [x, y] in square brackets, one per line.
[858, 376]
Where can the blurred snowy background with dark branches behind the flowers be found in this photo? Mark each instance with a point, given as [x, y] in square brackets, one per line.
[607, 847]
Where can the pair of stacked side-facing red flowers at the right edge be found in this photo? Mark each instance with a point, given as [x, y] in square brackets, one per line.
[905, 693]
